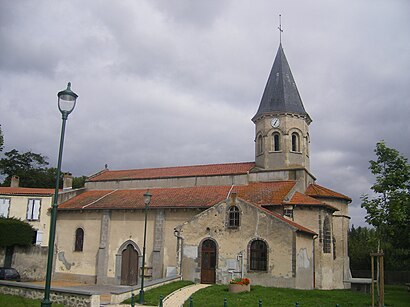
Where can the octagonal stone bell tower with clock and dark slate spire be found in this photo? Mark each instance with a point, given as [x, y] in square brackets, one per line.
[281, 122]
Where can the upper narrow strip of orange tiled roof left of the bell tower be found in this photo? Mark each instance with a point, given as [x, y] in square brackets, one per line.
[177, 171]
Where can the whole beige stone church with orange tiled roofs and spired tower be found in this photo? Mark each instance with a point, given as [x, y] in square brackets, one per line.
[267, 220]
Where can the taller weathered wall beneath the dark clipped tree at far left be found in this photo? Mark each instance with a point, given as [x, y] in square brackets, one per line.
[30, 262]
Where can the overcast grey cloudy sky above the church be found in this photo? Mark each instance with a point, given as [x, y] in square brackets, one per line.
[172, 83]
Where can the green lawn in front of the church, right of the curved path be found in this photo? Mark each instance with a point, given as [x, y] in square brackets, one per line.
[394, 296]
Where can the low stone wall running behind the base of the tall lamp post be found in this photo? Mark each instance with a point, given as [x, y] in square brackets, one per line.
[61, 296]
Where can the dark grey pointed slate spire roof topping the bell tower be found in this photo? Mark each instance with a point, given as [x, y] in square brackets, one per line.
[281, 94]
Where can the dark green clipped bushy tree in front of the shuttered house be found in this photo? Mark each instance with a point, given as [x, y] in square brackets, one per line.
[15, 232]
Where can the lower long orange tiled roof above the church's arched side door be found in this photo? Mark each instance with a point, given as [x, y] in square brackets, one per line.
[202, 197]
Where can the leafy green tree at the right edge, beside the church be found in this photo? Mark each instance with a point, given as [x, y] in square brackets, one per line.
[388, 210]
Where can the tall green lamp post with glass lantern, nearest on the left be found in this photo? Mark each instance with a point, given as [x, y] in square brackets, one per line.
[66, 104]
